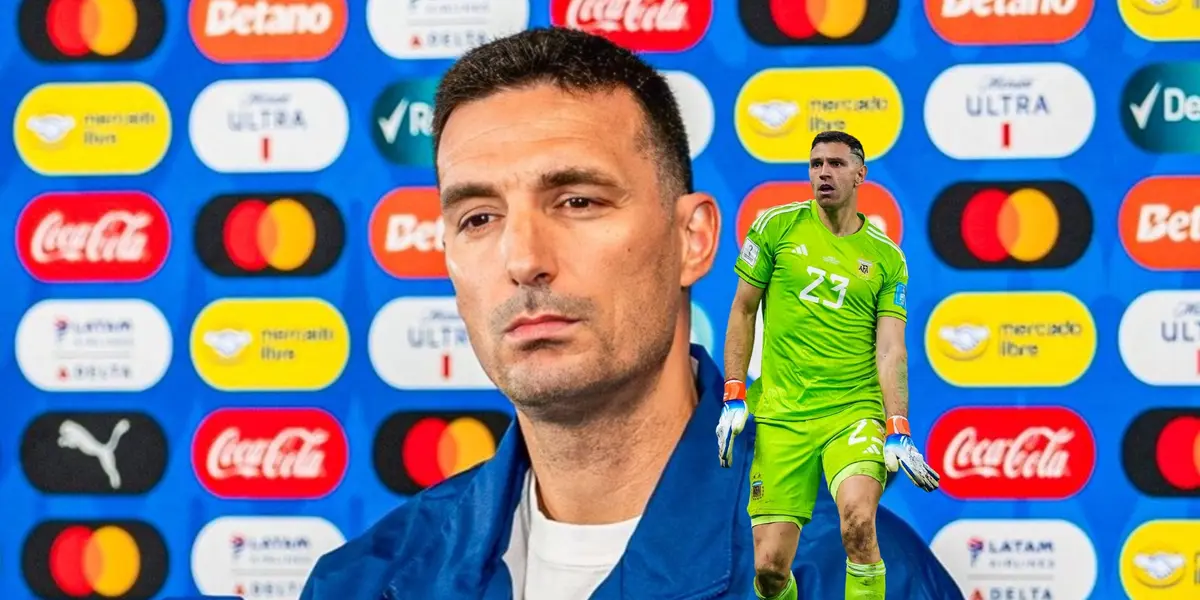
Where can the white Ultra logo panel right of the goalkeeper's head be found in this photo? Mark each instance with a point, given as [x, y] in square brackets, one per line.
[1024, 111]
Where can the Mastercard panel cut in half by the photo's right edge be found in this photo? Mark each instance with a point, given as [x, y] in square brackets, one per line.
[1161, 453]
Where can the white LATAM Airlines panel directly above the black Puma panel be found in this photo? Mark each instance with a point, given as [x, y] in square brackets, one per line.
[94, 345]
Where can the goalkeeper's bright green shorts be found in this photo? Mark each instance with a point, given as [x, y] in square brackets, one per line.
[790, 458]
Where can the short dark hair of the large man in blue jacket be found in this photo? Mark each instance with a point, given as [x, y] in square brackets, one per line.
[575, 62]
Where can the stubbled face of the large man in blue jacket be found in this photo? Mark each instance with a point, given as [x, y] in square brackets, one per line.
[560, 245]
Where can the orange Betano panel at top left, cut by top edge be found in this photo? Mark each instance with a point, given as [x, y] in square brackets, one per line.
[266, 31]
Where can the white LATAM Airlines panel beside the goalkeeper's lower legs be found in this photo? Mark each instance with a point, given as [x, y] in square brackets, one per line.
[1018, 559]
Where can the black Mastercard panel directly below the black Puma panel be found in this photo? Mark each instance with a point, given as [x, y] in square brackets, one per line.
[86, 560]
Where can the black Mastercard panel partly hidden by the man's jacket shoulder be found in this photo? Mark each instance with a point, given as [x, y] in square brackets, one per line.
[415, 452]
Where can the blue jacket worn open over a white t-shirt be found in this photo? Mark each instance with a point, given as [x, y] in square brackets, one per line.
[693, 543]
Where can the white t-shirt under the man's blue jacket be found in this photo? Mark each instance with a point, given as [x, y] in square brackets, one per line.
[551, 561]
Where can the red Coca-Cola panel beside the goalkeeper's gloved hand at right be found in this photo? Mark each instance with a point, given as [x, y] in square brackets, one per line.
[1012, 453]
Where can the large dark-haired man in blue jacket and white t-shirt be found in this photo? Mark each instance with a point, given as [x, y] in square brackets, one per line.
[573, 238]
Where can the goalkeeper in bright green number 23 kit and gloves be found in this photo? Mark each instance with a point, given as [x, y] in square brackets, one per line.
[833, 393]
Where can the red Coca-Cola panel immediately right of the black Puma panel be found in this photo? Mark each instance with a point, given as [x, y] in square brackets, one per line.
[271, 453]
